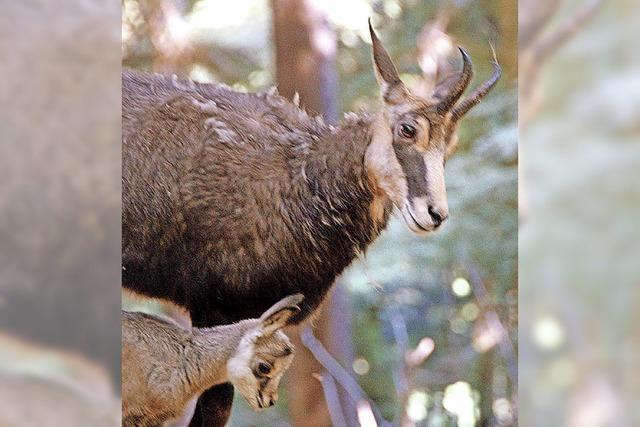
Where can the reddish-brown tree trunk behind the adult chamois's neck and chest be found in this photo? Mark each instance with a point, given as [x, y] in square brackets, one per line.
[305, 48]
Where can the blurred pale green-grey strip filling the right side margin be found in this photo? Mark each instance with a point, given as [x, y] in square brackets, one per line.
[579, 102]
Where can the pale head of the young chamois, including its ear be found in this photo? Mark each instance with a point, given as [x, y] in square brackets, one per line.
[264, 353]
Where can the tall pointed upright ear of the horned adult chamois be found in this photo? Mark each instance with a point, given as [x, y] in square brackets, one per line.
[392, 89]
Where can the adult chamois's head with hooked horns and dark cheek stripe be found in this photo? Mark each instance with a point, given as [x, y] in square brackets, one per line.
[413, 136]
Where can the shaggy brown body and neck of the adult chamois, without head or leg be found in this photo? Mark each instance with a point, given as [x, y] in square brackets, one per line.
[232, 200]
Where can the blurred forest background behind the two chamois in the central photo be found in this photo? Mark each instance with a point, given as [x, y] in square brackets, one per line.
[426, 326]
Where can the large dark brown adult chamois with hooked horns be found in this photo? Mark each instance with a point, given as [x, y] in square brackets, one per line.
[232, 201]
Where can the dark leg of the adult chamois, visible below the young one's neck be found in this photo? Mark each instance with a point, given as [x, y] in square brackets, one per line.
[214, 407]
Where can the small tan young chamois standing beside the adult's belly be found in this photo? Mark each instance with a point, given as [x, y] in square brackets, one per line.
[165, 366]
